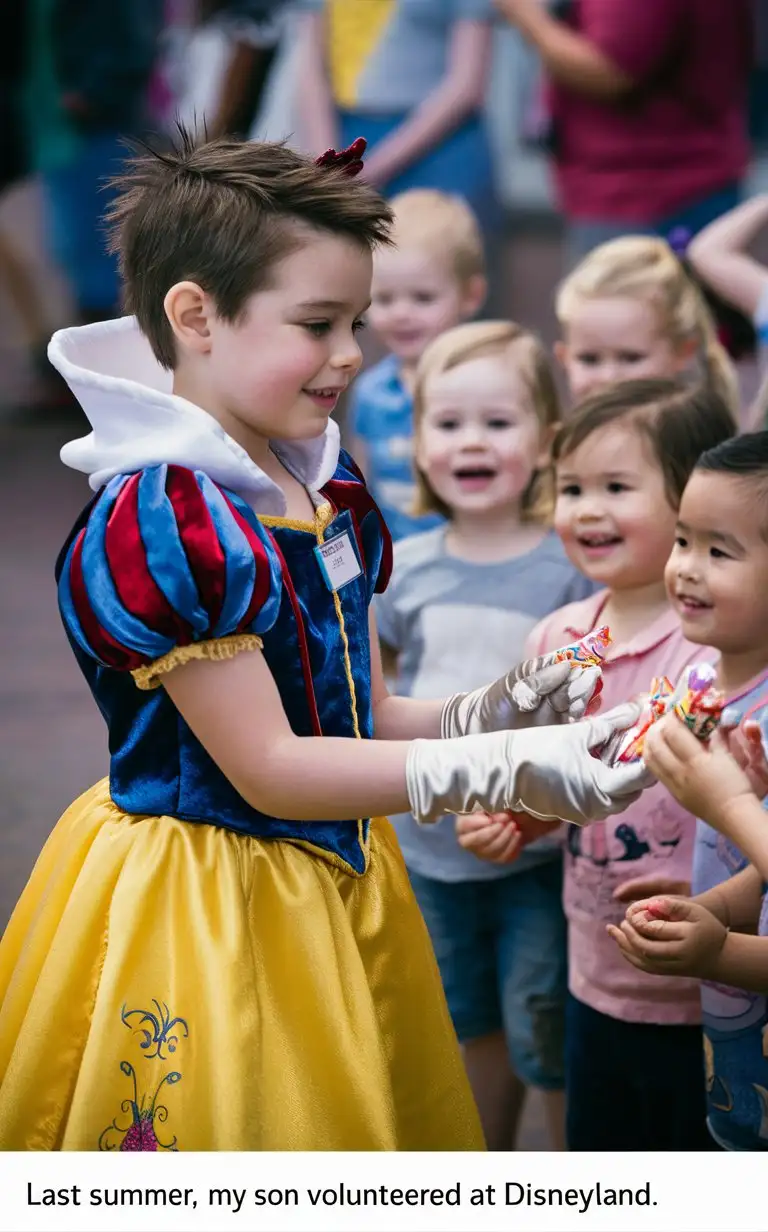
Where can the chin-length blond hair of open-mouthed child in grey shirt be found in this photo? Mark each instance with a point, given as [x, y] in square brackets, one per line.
[480, 341]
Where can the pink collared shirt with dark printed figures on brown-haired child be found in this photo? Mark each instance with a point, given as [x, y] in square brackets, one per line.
[653, 838]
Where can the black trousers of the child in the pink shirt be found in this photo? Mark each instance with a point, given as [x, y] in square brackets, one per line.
[633, 1086]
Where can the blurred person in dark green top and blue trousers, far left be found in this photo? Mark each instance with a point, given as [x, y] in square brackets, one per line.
[89, 70]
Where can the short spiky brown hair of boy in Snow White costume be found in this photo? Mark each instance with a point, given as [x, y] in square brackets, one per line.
[224, 214]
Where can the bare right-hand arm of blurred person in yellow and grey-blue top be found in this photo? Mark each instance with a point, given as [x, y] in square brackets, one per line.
[459, 94]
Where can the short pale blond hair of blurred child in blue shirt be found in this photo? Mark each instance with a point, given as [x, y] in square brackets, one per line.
[442, 224]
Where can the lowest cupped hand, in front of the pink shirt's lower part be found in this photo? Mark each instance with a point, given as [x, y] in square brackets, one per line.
[671, 937]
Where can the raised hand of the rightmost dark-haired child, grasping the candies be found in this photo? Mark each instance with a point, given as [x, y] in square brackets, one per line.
[706, 779]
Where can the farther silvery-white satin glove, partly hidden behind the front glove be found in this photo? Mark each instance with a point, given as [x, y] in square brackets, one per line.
[538, 692]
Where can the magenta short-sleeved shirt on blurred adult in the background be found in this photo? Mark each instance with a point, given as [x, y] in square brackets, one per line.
[682, 135]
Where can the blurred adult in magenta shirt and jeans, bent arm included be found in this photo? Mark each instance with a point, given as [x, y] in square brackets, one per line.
[649, 108]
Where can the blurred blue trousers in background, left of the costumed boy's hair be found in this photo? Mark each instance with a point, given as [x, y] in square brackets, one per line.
[77, 198]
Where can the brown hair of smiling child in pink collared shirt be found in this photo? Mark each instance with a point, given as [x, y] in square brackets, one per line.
[679, 422]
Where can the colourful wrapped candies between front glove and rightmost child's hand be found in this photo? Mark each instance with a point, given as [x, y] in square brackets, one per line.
[696, 702]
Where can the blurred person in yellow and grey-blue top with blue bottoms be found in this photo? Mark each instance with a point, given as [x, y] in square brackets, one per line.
[411, 78]
